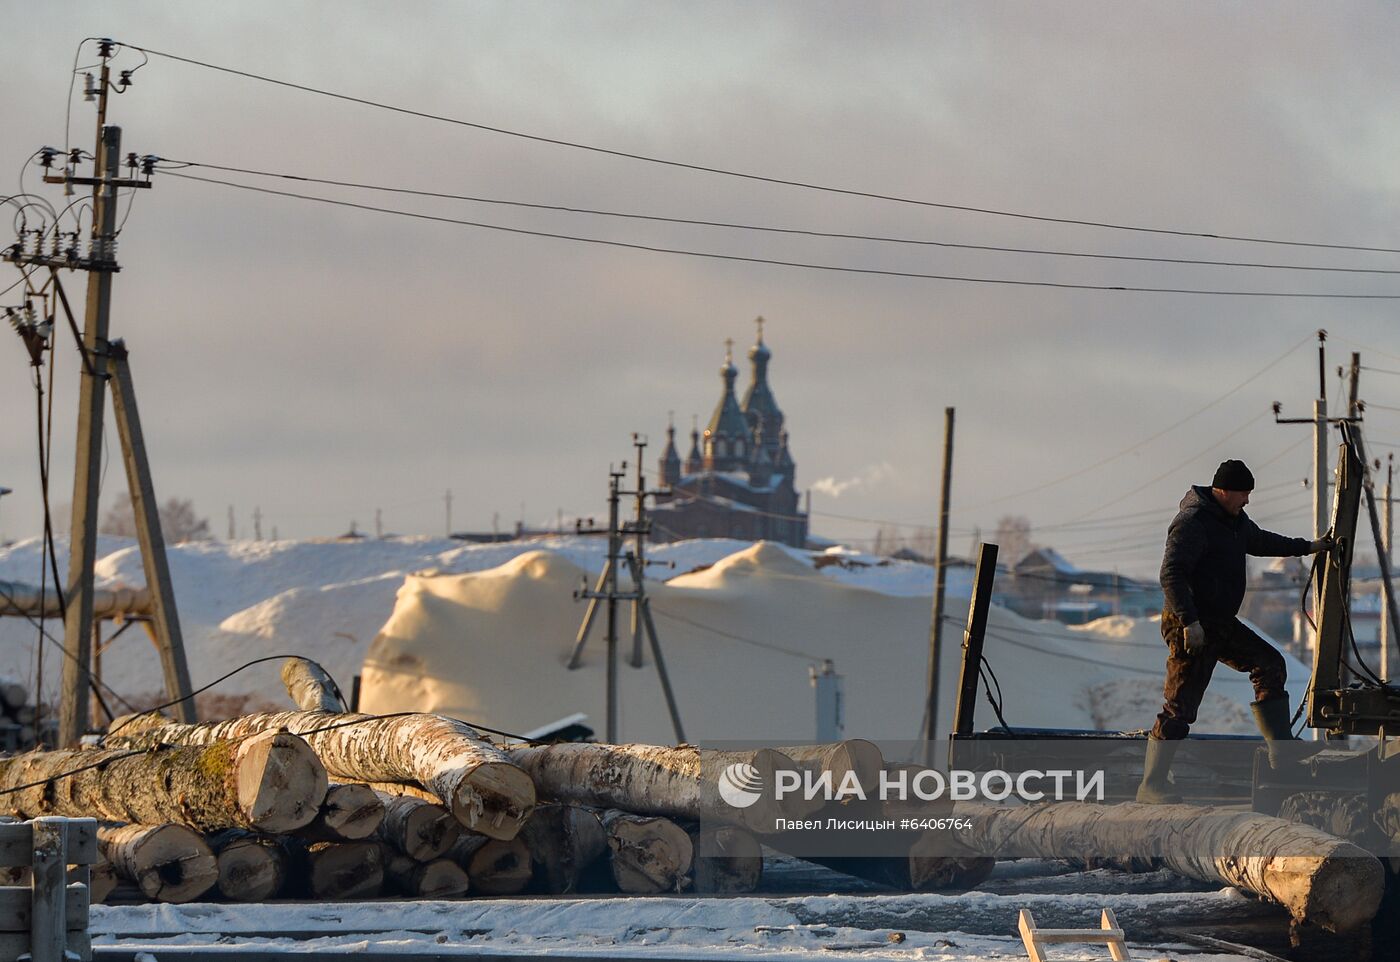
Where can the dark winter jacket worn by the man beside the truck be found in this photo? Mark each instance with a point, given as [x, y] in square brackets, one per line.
[1203, 569]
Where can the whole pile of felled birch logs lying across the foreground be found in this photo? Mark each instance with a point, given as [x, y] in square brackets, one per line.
[327, 804]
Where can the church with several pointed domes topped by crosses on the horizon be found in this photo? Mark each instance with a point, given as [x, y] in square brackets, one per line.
[738, 478]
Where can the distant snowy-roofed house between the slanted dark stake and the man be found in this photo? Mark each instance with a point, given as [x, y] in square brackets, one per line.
[1048, 586]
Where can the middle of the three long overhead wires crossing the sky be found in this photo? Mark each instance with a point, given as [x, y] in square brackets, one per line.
[768, 229]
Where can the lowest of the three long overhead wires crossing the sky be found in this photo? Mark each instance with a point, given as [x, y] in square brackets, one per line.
[1011, 282]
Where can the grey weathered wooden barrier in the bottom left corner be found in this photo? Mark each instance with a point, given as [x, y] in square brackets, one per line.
[47, 919]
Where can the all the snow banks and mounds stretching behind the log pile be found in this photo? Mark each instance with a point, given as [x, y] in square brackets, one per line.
[484, 632]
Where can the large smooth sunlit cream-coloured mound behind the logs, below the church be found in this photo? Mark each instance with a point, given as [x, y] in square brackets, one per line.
[738, 639]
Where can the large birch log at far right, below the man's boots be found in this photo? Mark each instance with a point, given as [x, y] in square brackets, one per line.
[1319, 879]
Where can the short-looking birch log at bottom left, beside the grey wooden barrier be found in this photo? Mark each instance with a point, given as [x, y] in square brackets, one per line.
[169, 863]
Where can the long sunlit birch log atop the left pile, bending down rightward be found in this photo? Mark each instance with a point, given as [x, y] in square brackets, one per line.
[481, 786]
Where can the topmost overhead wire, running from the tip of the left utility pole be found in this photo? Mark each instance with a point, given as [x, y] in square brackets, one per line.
[748, 176]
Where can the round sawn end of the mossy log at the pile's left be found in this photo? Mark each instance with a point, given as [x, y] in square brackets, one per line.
[281, 782]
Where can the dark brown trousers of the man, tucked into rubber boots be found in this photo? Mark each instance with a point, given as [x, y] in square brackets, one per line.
[1227, 642]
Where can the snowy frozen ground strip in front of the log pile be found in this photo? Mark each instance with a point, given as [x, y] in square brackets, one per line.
[965, 928]
